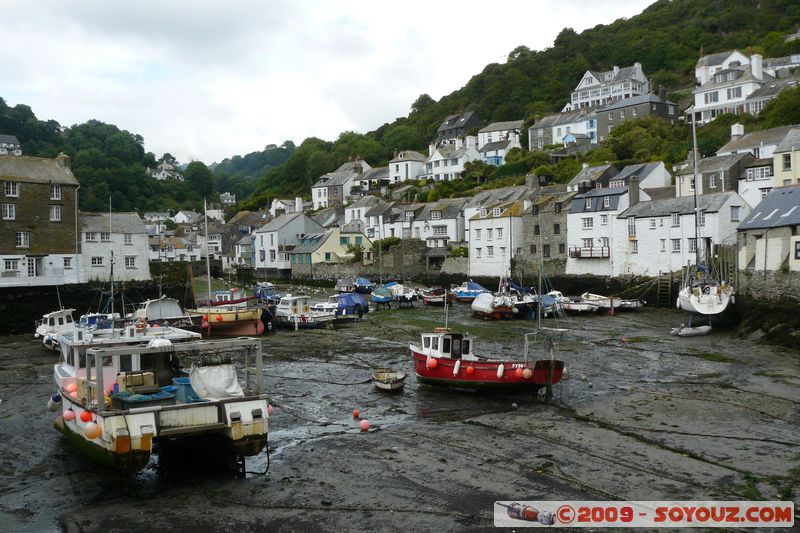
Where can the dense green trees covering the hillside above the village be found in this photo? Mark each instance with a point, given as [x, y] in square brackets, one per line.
[666, 39]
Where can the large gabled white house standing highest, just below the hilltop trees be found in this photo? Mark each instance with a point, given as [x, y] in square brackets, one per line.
[598, 88]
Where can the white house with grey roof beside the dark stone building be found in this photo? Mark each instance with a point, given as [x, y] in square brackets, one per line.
[121, 237]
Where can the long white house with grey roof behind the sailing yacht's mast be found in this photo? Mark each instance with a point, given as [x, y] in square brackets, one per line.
[659, 235]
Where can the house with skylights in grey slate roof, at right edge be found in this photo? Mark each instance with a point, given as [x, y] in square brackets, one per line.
[768, 237]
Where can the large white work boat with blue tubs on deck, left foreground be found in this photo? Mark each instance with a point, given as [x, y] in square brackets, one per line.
[118, 397]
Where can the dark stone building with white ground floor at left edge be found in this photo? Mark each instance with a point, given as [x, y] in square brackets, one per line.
[38, 241]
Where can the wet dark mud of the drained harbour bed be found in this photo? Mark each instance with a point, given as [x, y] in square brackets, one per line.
[642, 415]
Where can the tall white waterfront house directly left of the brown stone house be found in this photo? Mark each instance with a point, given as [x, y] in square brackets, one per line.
[495, 235]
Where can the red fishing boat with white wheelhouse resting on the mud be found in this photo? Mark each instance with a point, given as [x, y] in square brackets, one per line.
[446, 358]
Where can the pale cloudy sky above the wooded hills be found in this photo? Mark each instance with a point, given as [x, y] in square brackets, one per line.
[208, 80]
